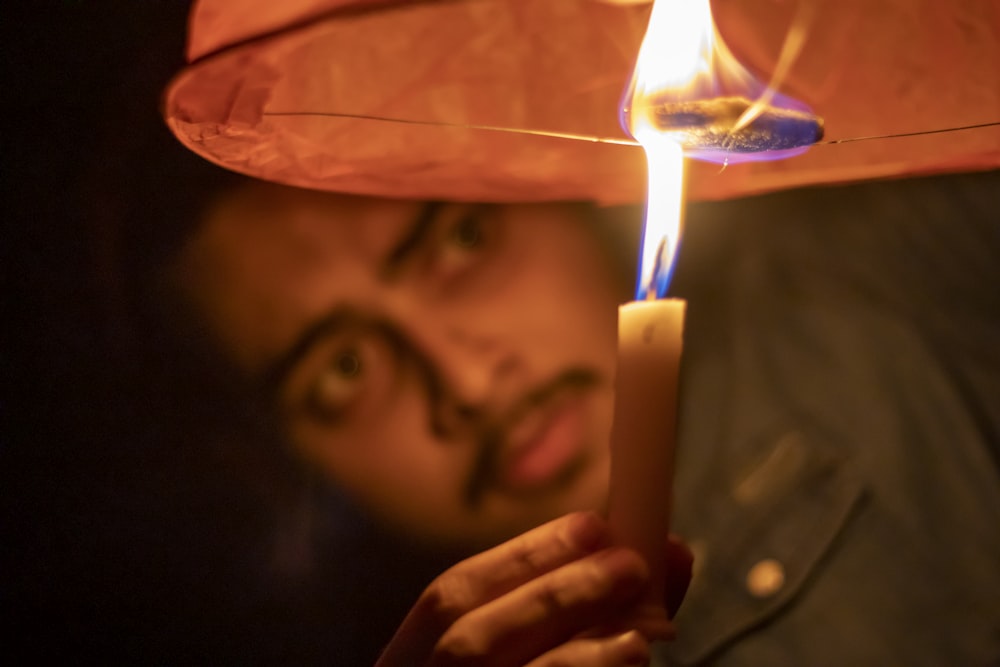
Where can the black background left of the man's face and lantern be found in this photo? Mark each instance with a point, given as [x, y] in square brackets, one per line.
[130, 531]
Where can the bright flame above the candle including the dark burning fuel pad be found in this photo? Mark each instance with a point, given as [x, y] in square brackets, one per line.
[690, 97]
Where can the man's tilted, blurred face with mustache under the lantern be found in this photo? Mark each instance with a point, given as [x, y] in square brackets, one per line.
[450, 366]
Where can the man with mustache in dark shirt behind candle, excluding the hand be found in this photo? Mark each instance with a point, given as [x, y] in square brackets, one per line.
[448, 366]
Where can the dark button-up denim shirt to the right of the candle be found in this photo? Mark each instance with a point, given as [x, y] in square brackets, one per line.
[837, 468]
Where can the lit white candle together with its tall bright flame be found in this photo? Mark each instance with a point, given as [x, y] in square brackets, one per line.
[650, 331]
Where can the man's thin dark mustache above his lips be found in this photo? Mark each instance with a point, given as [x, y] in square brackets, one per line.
[489, 433]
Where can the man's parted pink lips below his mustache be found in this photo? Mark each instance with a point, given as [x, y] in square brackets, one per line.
[543, 444]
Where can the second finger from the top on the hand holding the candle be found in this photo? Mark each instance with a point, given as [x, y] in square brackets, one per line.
[546, 611]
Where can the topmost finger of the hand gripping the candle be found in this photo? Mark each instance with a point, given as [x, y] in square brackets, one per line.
[486, 576]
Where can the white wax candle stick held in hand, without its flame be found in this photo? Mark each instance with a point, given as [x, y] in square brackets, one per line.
[650, 337]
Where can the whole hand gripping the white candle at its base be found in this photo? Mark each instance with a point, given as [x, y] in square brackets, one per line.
[546, 597]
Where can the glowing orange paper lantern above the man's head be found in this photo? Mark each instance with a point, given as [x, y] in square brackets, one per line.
[392, 98]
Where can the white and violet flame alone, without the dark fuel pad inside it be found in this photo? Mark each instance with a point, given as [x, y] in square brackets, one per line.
[683, 59]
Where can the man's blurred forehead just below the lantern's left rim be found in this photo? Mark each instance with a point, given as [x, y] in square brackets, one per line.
[270, 260]
